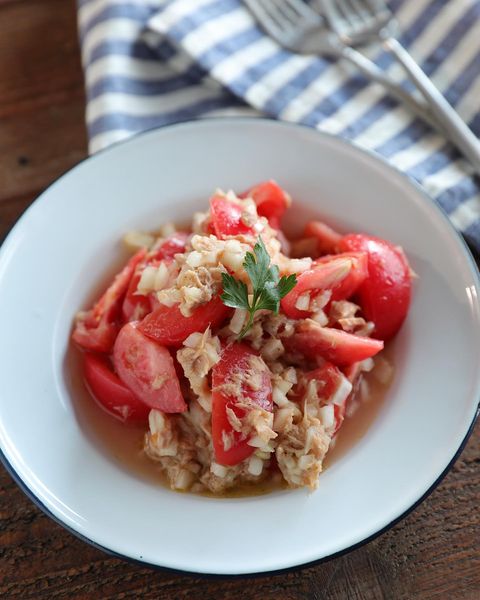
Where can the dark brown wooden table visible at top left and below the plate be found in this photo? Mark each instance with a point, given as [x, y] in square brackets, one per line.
[432, 553]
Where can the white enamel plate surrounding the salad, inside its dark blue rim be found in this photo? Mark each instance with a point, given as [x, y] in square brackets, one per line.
[65, 243]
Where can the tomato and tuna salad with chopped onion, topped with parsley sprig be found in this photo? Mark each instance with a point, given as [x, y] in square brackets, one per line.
[240, 351]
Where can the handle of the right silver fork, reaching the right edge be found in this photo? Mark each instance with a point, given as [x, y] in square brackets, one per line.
[457, 130]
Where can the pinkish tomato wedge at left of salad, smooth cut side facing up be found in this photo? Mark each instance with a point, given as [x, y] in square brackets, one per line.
[147, 369]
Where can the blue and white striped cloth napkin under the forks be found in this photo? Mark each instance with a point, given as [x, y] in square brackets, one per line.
[153, 62]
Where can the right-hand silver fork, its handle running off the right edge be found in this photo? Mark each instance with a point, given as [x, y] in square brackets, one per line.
[356, 22]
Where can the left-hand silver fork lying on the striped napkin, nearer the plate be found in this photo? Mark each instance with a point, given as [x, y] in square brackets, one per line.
[298, 27]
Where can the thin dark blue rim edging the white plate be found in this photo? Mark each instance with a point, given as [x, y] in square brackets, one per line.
[468, 255]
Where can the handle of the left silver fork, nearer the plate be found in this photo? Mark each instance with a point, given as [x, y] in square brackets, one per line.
[373, 72]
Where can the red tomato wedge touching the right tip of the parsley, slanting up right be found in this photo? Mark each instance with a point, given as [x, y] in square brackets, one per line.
[341, 274]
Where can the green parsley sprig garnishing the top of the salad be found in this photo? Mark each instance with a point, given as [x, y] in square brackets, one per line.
[268, 287]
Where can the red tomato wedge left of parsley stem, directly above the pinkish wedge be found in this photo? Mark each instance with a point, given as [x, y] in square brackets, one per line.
[167, 326]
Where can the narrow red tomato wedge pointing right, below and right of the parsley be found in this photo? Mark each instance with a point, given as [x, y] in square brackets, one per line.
[336, 346]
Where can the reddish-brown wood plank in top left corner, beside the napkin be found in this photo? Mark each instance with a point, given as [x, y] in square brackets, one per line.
[42, 132]
